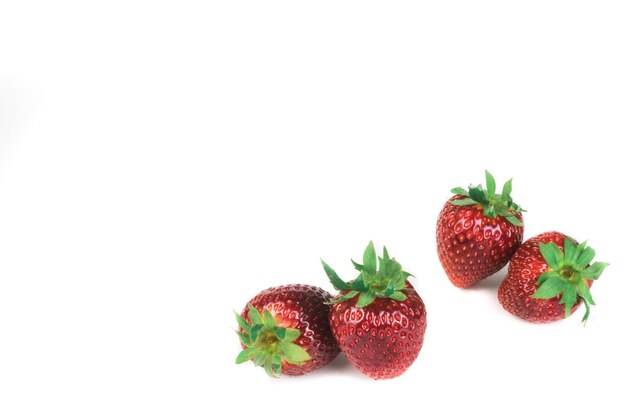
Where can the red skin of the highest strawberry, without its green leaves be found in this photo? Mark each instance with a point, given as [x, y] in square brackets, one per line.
[471, 246]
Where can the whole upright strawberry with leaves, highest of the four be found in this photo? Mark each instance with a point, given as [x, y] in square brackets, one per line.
[477, 232]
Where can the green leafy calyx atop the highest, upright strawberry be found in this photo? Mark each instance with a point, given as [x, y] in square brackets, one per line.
[493, 204]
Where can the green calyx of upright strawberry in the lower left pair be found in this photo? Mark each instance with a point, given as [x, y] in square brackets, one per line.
[387, 280]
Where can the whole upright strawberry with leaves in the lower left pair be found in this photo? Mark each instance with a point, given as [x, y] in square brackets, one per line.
[382, 330]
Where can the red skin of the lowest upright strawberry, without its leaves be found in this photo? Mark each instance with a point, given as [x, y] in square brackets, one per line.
[384, 338]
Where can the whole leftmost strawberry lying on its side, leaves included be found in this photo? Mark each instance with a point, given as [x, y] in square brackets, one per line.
[285, 329]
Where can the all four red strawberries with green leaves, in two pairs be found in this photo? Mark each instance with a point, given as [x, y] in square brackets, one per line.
[378, 320]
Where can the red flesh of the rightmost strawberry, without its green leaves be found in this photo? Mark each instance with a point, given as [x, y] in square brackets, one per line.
[516, 291]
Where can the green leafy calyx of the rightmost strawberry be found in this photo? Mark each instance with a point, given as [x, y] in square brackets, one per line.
[567, 274]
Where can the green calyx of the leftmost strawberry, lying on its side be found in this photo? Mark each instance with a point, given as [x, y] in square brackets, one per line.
[268, 344]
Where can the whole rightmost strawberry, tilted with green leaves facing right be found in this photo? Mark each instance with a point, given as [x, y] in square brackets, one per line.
[549, 276]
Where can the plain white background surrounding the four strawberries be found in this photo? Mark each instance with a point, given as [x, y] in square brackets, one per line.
[162, 162]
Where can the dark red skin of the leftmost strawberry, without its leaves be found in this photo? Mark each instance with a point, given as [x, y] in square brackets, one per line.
[300, 307]
